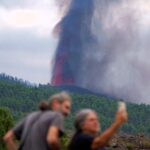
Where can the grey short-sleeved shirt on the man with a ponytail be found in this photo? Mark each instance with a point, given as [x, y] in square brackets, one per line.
[32, 131]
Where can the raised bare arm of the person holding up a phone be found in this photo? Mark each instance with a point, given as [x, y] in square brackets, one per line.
[102, 140]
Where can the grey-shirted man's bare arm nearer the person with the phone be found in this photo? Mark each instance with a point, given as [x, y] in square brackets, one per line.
[53, 138]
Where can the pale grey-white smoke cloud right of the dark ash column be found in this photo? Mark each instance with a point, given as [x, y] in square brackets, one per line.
[122, 29]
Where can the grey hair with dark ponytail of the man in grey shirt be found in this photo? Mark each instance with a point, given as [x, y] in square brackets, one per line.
[60, 97]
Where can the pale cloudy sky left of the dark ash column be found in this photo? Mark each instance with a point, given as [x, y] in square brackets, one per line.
[26, 41]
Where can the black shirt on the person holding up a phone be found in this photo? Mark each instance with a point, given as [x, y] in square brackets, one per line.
[82, 142]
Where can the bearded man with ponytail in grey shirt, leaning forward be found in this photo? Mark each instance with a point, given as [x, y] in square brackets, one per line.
[41, 130]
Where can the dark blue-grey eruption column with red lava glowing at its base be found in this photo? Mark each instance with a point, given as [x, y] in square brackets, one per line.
[74, 36]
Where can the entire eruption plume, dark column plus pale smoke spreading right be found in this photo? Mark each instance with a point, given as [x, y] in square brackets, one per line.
[104, 46]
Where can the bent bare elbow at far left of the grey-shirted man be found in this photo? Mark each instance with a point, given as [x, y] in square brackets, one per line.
[9, 141]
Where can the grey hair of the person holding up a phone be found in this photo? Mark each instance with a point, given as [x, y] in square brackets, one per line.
[79, 121]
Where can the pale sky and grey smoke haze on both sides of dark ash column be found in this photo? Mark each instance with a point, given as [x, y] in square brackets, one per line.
[123, 35]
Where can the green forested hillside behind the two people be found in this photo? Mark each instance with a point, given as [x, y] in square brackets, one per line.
[21, 97]
